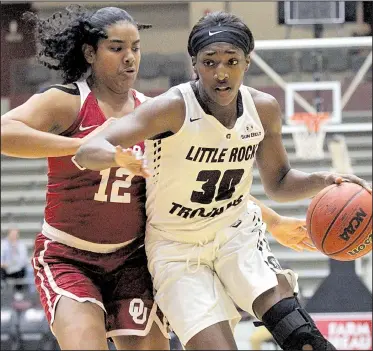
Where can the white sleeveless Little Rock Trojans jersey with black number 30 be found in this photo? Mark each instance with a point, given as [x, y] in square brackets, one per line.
[201, 176]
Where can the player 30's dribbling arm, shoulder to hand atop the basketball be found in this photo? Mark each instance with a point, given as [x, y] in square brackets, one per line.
[281, 182]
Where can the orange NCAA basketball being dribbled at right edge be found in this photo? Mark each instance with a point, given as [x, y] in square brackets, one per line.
[339, 221]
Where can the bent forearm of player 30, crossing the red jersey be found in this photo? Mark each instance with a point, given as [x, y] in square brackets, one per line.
[96, 155]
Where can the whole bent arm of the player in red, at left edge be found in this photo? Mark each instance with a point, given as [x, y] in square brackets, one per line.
[31, 129]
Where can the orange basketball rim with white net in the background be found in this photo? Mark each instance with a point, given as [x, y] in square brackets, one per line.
[309, 141]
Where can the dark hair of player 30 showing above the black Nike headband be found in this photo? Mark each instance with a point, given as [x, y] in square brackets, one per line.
[223, 19]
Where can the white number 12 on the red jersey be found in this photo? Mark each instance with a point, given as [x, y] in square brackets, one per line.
[117, 184]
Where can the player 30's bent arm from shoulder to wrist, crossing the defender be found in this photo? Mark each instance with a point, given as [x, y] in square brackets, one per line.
[161, 114]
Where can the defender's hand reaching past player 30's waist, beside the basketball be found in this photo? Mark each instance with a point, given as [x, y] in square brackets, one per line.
[292, 232]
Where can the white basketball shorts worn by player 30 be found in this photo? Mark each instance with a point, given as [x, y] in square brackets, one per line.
[198, 285]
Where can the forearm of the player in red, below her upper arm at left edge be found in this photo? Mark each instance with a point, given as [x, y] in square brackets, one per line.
[20, 140]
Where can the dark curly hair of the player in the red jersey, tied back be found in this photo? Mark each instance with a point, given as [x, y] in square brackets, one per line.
[61, 37]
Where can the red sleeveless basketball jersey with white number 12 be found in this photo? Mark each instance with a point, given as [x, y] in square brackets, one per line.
[104, 207]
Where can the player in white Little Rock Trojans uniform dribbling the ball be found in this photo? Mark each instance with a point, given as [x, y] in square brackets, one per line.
[206, 247]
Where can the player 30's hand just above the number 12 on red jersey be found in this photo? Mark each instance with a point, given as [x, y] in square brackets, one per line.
[132, 160]
